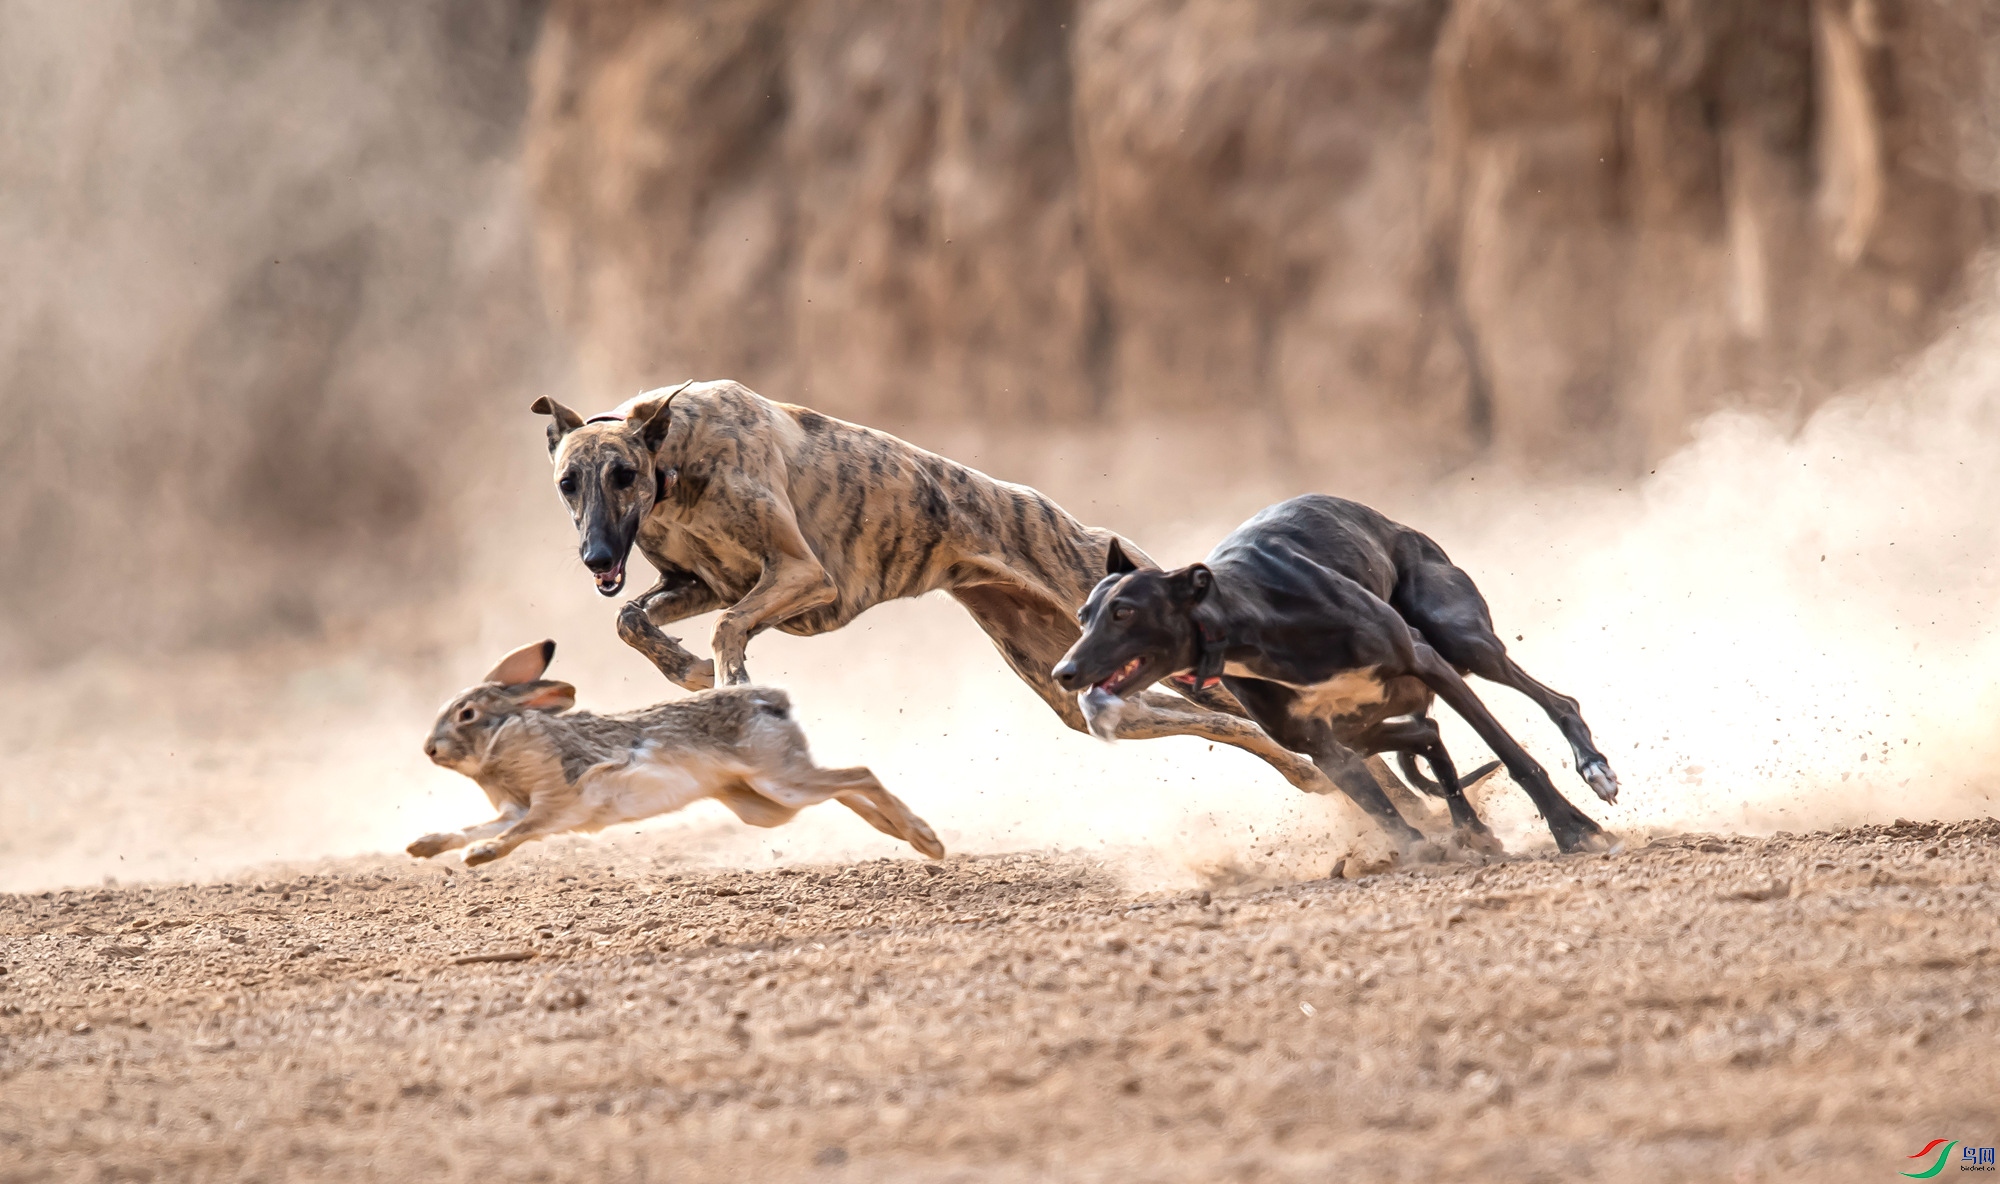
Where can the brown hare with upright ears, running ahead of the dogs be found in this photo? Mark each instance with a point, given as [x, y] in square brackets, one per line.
[551, 769]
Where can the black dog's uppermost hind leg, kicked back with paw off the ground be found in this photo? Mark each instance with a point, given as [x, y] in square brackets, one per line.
[1443, 603]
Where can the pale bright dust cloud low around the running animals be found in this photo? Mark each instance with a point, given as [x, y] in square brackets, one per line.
[1785, 627]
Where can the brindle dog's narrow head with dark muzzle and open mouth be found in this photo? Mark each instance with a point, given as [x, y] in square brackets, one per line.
[611, 477]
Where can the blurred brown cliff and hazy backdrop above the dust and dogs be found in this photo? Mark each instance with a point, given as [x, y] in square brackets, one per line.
[281, 279]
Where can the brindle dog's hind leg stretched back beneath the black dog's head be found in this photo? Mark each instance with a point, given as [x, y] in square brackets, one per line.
[1033, 635]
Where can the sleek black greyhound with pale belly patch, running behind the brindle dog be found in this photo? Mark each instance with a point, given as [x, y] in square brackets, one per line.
[1333, 627]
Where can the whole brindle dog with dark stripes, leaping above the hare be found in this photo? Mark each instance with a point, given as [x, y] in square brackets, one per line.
[795, 521]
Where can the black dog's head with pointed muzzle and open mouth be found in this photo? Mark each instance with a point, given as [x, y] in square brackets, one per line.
[1139, 627]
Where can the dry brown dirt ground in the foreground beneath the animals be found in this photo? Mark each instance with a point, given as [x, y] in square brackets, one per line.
[1695, 1009]
